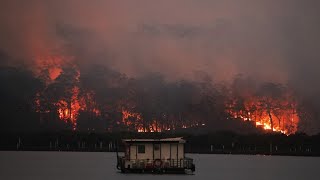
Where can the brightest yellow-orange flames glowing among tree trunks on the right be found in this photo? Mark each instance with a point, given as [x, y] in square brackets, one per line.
[278, 115]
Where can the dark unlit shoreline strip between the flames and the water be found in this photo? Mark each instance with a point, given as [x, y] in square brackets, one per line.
[216, 143]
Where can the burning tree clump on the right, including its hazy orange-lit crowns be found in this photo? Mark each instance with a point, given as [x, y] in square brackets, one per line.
[272, 108]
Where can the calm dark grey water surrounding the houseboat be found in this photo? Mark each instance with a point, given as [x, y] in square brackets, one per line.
[101, 166]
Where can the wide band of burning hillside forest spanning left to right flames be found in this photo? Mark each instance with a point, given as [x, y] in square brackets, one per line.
[101, 99]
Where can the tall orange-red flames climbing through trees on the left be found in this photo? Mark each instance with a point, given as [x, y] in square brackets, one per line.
[68, 109]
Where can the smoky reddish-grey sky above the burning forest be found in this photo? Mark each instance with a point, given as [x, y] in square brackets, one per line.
[269, 40]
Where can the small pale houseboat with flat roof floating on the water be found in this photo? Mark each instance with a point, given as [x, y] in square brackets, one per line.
[155, 156]
